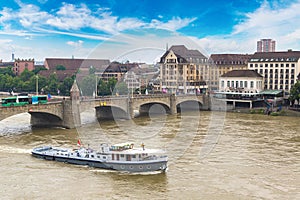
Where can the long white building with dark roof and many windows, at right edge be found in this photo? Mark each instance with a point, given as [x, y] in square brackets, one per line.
[279, 69]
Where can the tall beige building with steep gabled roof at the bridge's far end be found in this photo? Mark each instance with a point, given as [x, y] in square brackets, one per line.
[183, 71]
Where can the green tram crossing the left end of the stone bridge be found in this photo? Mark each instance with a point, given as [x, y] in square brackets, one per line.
[22, 100]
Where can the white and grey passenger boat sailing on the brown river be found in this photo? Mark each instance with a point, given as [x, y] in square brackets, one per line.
[120, 157]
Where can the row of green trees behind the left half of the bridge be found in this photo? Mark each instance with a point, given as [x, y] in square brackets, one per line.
[26, 82]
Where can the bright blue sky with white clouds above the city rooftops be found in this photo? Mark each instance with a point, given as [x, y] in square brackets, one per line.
[140, 31]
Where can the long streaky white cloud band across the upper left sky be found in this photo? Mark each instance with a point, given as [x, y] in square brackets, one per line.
[70, 17]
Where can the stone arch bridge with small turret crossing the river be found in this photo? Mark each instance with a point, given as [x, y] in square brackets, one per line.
[66, 113]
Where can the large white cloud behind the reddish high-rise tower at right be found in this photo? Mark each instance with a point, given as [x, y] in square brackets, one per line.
[281, 24]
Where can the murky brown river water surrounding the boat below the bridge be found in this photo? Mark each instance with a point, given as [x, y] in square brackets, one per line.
[213, 155]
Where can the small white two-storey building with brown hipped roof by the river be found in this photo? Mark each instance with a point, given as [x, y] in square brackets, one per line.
[241, 82]
